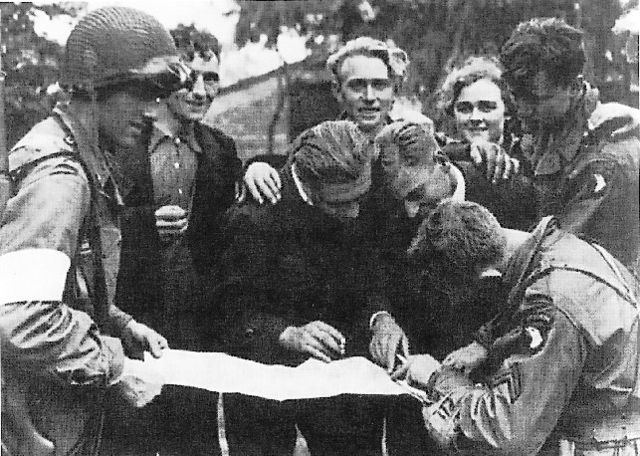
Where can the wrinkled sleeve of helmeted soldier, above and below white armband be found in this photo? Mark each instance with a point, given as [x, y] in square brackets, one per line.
[46, 212]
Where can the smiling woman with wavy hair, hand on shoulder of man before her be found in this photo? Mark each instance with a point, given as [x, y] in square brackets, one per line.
[475, 109]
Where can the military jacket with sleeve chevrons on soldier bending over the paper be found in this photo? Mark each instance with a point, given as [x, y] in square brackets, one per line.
[564, 356]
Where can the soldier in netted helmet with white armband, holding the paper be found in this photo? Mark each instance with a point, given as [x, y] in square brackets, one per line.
[62, 336]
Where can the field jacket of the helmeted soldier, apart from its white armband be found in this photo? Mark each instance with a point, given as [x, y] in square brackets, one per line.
[65, 200]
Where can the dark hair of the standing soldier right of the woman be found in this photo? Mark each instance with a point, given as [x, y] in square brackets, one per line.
[543, 44]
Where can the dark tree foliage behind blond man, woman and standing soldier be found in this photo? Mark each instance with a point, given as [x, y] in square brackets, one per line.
[439, 34]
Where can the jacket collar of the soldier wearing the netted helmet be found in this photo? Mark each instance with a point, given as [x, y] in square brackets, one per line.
[98, 164]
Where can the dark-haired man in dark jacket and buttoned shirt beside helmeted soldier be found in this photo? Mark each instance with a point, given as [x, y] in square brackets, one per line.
[170, 238]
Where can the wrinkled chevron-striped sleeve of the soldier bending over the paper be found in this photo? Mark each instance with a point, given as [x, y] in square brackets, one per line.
[516, 410]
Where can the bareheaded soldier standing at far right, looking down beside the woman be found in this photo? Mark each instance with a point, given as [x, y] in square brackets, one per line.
[587, 178]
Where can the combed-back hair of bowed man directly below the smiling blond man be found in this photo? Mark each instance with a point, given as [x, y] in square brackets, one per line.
[332, 152]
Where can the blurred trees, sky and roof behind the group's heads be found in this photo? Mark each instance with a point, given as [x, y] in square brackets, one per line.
[273, 79]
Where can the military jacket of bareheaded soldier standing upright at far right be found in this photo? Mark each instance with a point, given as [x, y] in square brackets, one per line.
[588, 180]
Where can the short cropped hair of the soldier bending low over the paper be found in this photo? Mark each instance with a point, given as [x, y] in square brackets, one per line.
[459, 236]
